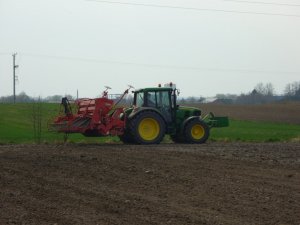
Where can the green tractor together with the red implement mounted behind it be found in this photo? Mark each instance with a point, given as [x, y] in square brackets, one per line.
[153, 114]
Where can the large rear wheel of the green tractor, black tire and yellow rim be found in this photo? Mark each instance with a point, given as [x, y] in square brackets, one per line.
[147, 127]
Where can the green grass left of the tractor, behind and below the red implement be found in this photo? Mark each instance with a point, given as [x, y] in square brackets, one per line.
[16, 125]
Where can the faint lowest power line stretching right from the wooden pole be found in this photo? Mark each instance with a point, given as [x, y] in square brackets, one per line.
[160, 65]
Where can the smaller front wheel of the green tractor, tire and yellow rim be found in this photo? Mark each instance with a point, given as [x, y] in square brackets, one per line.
[196, 131]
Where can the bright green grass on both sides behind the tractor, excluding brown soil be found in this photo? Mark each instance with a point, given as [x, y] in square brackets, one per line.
[16, 126]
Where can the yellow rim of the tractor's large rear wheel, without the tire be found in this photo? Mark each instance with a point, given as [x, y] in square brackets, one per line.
[149, 129]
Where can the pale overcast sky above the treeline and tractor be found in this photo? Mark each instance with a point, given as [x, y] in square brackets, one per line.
[206, 47]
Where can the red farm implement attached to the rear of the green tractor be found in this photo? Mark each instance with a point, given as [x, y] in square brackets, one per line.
[95, 117]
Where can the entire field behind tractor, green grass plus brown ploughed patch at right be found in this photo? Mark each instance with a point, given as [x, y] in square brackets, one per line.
[263, 123]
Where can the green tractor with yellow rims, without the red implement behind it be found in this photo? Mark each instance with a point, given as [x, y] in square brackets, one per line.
[155, 113]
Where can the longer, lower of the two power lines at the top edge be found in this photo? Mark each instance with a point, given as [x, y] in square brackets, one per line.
[195, 9]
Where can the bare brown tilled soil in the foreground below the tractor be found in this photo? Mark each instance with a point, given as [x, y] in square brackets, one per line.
[215, 183]
